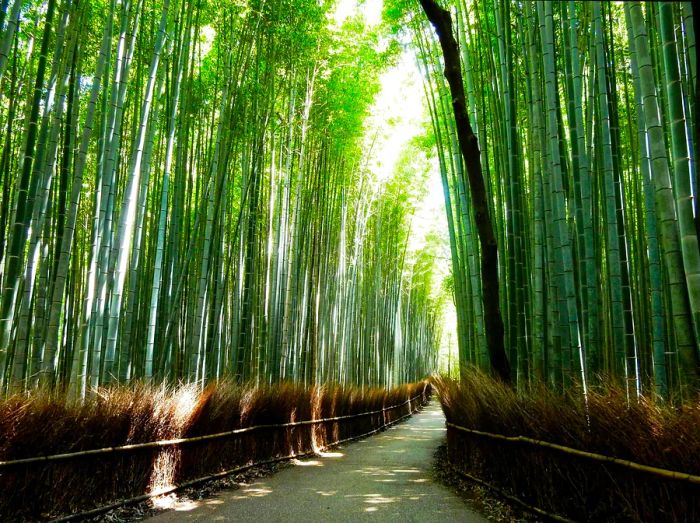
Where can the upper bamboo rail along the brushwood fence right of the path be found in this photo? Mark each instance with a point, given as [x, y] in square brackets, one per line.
[656, 471]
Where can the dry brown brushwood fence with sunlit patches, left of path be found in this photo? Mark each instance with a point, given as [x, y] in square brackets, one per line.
[44, 424]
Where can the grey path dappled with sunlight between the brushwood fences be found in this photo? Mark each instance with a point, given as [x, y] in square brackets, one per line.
[384, 478]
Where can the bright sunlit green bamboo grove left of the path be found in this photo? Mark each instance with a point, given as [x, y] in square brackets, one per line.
[184, 198]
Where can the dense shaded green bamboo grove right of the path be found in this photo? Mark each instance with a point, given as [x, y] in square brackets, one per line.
[584, 113]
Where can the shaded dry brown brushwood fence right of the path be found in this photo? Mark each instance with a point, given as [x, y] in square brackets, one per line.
[583, 490]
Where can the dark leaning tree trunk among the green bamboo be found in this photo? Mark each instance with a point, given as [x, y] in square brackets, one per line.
[468, 143]
